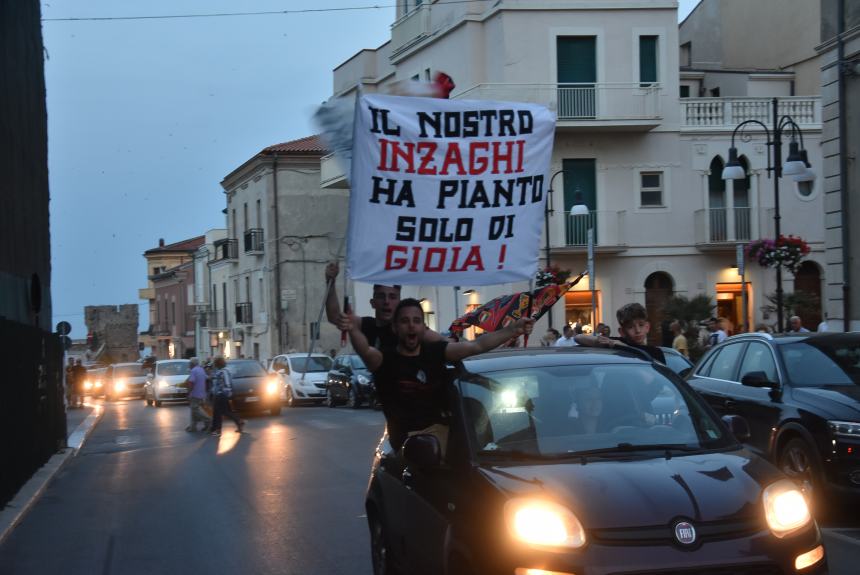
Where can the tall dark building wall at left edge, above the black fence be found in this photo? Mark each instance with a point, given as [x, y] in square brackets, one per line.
[25, 250]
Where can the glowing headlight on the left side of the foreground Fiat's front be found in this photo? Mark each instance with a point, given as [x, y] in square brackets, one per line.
[543, 524]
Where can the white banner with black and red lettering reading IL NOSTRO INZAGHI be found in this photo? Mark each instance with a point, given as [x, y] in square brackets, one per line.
[447, 192]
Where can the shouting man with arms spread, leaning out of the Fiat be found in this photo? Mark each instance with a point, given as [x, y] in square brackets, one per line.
[410, 375]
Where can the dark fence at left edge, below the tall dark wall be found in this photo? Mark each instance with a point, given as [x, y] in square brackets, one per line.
[32, 412]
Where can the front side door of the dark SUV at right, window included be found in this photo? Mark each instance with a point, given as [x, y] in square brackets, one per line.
[760, 406]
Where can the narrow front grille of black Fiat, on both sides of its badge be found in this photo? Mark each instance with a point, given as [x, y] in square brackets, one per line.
[664, 534]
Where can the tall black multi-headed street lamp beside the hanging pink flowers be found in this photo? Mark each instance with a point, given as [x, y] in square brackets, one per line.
[796, 165]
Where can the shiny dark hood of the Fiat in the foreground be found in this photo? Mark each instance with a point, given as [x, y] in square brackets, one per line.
[624, 492]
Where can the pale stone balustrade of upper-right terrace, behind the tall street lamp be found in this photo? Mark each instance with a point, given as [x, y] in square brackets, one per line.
[726, 113]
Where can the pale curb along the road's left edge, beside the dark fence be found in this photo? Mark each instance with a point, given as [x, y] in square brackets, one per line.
[36, 485]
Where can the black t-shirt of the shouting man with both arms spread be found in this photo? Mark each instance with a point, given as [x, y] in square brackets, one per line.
[412, 389]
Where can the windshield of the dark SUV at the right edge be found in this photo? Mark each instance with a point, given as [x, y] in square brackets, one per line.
[815, 362]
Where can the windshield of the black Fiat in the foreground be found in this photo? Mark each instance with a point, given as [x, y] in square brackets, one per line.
[574, 410]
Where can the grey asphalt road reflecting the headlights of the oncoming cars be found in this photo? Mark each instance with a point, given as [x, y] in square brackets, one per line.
[144, 496]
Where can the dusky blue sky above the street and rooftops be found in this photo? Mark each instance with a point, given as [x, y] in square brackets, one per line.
[145, 117]
